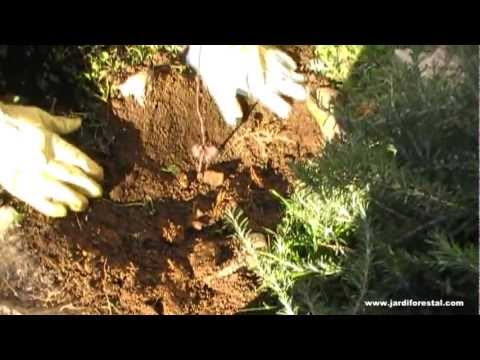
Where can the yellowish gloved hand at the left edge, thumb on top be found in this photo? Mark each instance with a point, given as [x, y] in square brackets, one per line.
[39, 167]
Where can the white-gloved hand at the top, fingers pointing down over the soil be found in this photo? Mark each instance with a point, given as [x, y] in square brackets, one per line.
[260, 72]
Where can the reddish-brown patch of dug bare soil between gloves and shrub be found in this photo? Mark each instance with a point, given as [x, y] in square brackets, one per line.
[154, 242]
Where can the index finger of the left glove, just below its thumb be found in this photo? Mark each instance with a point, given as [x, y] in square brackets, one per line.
[69, 154]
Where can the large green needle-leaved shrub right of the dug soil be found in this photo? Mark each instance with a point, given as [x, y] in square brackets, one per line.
[389, 212]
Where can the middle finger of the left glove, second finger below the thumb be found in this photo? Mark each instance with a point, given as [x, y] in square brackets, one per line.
[71, 175]
